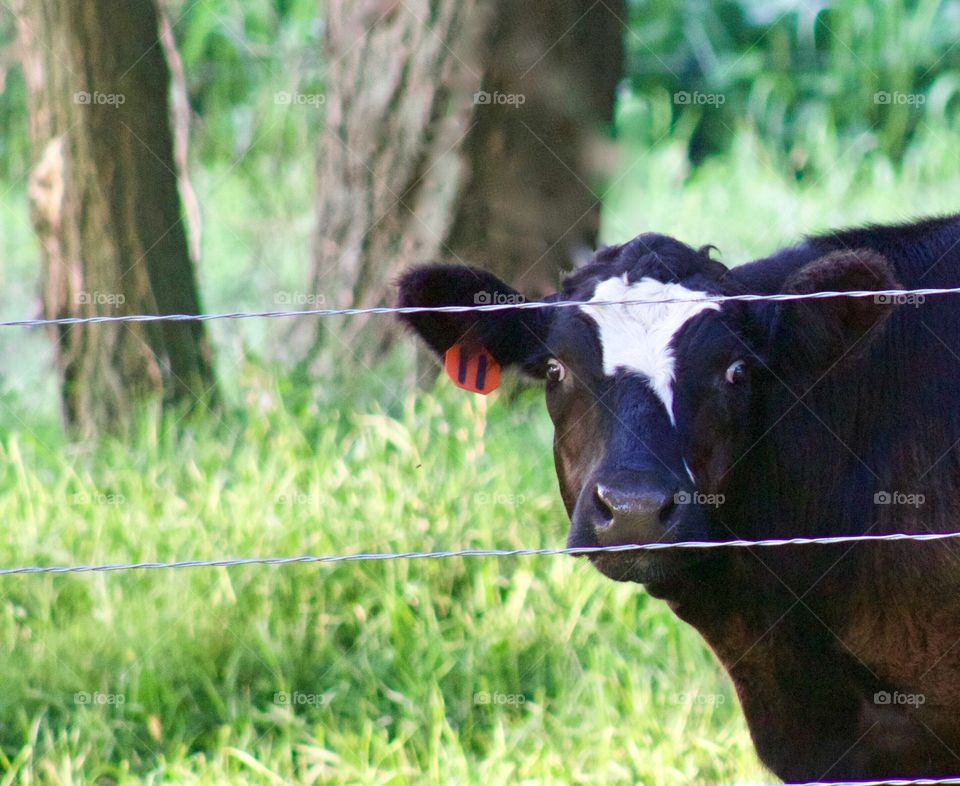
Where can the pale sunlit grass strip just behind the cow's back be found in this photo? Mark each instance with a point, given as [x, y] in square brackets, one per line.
[743, 204]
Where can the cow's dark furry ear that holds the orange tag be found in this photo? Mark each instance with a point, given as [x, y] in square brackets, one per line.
[513, 337]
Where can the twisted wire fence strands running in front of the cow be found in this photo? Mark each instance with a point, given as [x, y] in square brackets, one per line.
[890, 296]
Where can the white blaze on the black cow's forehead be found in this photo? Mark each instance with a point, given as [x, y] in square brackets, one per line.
[638, 337]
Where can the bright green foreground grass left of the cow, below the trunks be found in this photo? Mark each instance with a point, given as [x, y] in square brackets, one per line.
[387, 656]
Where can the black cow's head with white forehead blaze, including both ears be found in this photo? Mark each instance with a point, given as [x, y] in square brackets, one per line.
[654, 405]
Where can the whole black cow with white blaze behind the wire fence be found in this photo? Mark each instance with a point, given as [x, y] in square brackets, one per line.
[692, 420]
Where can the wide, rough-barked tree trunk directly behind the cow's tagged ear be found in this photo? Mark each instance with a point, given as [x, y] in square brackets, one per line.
[460, 130]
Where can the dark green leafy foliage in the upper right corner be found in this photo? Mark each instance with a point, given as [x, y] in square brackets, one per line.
[788, 69]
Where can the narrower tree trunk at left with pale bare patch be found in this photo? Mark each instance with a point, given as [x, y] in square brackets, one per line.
[106, 208]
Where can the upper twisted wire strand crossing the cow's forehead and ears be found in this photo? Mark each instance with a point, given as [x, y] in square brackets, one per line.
[896, 296]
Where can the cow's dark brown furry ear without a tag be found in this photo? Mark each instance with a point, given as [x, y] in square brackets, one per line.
[822, 332]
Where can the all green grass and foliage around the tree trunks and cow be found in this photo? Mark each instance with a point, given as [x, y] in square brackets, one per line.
[360, 459]
